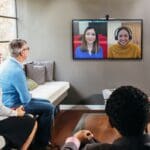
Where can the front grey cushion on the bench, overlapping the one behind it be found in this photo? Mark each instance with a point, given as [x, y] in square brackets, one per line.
[36, 72]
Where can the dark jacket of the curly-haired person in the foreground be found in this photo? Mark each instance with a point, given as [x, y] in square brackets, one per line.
[125, 143]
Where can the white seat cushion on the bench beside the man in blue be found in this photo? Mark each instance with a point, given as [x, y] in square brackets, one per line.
[50, 90]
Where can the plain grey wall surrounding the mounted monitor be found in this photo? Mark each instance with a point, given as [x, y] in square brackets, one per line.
[46, 25]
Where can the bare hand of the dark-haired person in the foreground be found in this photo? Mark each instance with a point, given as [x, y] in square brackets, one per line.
[83, 135]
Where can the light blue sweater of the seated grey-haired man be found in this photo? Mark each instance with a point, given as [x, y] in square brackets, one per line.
[13, 83]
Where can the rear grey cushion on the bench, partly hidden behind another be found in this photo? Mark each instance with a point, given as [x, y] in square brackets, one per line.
[48, 68]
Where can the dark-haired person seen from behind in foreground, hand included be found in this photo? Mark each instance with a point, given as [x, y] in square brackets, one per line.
[127, 109]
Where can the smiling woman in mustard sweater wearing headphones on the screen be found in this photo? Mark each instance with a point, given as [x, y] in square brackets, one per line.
[124, 48]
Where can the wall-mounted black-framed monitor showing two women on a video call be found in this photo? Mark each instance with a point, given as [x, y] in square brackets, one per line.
[98, 39]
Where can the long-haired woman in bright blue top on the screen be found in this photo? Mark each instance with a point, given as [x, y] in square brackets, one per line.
[89, 48]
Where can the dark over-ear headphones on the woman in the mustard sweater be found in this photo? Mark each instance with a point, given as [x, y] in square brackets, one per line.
[123, 28]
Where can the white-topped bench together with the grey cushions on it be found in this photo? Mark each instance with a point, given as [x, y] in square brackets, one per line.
[42, 72]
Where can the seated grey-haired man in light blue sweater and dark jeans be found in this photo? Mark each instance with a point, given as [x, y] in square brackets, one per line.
[15, 91]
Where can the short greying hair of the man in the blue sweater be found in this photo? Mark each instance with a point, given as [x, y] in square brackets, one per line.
[15, 46]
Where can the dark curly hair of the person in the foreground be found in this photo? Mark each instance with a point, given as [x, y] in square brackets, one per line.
[127, 109]
